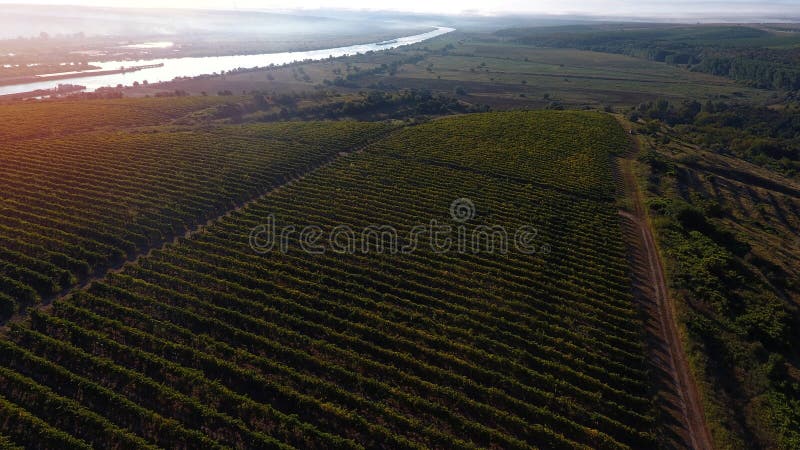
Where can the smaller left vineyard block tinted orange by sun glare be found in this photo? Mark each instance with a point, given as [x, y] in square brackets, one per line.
[70, 208]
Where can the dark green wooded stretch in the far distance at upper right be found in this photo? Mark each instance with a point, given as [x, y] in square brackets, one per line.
[751, 54]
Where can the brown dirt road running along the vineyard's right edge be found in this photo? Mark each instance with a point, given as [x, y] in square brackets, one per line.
[683, 422]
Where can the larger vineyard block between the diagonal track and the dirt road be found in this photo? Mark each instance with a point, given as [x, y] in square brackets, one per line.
[219, 341]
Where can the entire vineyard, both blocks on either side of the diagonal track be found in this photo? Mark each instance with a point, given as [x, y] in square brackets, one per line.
[205, 343]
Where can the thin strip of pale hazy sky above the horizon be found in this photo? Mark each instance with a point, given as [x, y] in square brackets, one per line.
[670, 8]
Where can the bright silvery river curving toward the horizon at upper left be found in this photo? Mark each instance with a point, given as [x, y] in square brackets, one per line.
[194, 66]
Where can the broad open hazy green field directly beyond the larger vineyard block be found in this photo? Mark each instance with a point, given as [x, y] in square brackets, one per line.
[572, 77]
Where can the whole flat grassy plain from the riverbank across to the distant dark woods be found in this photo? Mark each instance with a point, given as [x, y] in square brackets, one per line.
[490, 71]
